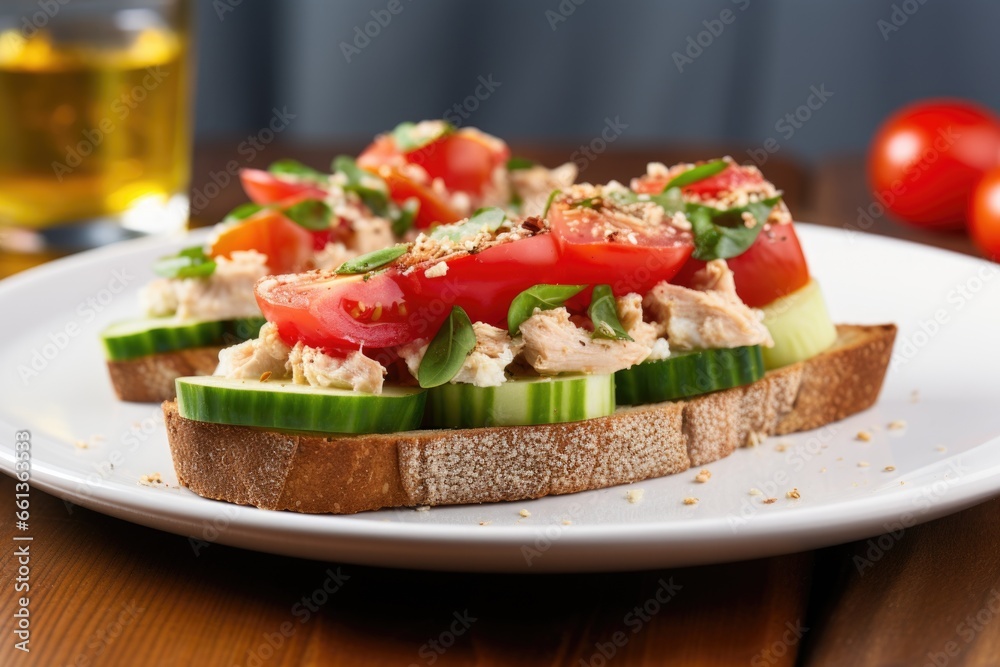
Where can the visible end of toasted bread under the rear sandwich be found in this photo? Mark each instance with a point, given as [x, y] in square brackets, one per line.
[150, 379]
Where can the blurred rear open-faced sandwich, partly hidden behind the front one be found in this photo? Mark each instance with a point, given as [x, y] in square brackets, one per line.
[300, 219]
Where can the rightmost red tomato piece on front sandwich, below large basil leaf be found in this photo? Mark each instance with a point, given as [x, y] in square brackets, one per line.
[771, 268]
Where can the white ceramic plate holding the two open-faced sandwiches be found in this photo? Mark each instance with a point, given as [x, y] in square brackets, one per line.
[53, 383]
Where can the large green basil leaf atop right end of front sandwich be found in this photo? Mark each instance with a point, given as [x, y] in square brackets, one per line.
[724, 234]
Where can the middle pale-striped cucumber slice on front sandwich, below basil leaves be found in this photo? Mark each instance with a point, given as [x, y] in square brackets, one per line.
[521, 402]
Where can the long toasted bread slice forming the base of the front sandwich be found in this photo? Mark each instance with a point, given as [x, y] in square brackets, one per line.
[346, 474]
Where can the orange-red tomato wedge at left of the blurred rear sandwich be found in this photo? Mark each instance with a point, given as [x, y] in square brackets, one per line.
[288, 246]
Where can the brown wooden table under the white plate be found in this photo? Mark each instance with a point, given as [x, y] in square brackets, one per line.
[106, 592]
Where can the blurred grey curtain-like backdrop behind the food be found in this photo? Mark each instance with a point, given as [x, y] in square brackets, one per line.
[670, 72]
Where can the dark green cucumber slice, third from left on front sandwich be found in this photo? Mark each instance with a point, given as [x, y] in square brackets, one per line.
[688, 374]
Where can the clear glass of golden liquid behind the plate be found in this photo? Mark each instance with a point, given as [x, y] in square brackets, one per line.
[95, 123]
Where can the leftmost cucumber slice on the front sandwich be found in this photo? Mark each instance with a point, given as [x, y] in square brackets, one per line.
[283, 405]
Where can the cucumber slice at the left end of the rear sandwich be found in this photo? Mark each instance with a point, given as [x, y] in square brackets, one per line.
[138, 338]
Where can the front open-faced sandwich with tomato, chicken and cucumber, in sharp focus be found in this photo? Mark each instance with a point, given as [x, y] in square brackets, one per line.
[621, 333]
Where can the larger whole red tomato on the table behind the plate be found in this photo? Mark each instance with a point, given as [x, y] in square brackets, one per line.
[925, 160]
